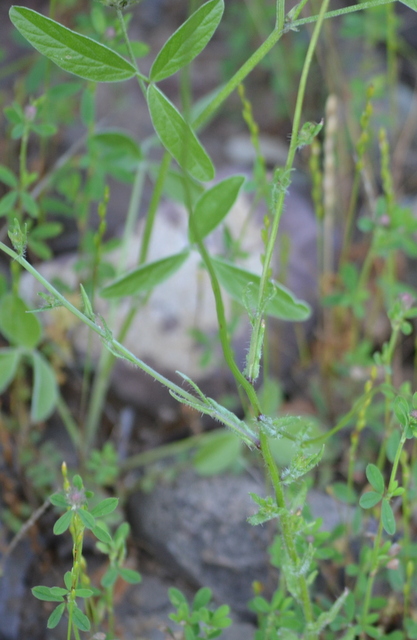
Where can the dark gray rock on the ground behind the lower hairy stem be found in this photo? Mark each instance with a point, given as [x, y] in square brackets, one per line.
[198, 527]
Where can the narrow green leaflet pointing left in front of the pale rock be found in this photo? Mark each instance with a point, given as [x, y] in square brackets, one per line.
[146, 277]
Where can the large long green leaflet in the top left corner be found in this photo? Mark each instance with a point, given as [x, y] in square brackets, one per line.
[69, 50]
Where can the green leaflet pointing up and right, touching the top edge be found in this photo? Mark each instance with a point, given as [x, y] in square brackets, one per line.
[188, 41]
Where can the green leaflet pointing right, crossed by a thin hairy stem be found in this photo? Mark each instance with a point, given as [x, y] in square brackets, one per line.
[236, 281]
